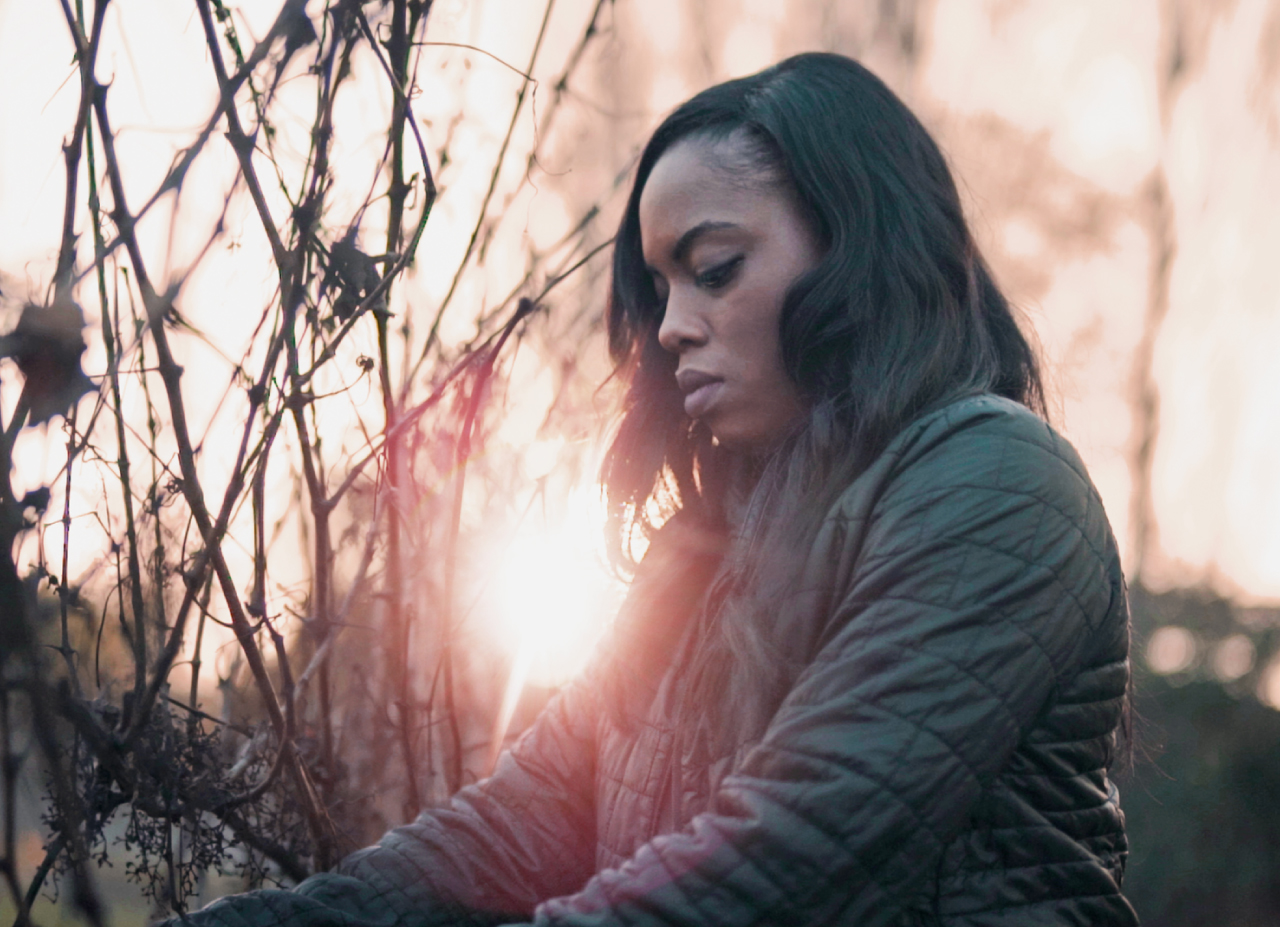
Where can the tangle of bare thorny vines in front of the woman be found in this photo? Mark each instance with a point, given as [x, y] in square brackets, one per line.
[272, 787]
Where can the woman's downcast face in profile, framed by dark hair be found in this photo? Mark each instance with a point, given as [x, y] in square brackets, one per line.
[724, 246]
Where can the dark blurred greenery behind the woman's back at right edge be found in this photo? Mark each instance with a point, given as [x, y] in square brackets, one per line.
[1201, 800]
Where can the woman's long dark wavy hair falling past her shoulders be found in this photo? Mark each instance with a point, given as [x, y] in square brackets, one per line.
[900, 316]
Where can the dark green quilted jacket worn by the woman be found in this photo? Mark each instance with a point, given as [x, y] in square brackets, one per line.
[939, 760]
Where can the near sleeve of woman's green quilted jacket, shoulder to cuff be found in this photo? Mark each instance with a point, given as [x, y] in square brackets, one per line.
[982, 574]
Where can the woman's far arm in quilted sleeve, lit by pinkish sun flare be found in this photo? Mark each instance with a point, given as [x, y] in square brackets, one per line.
[528, 833]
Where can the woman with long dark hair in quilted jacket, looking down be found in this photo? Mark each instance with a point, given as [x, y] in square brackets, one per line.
[874, 665]
